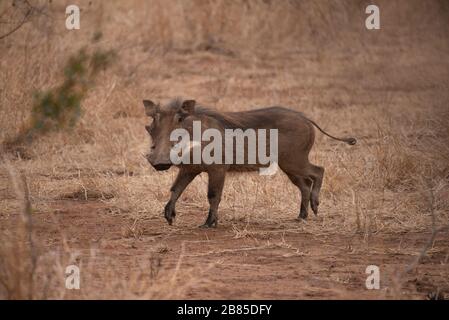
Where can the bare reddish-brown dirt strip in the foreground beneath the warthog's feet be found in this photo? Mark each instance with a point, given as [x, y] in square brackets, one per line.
[266, 261]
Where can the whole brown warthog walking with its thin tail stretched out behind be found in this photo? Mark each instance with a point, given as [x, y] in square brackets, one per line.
[198, 139]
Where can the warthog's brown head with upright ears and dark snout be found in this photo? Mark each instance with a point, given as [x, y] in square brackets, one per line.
[166, 119]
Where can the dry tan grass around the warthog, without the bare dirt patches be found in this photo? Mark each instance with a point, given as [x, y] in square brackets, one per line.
[388, 88]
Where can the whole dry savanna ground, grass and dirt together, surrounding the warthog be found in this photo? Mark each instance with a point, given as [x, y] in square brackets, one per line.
[96, 203]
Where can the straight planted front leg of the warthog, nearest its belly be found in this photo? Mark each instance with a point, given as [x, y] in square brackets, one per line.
[215, 189]
